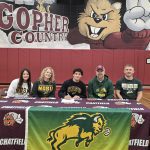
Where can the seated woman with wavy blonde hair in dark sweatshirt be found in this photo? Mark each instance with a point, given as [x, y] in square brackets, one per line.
[45, 86]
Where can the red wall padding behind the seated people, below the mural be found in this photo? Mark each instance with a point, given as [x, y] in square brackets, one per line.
[63, 62]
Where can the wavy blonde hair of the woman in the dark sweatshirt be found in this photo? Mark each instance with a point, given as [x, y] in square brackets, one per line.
[52, 79]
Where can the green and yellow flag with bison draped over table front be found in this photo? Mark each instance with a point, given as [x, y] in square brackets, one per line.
[77, 129]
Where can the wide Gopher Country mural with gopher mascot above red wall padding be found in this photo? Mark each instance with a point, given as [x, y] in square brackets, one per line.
[66, 24]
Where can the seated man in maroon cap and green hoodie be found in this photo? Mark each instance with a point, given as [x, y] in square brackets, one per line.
[100, 86]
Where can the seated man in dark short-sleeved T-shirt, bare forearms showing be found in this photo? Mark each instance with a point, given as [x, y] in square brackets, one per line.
[129, 87]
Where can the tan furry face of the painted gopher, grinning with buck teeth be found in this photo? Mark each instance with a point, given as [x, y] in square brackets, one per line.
[99, 19]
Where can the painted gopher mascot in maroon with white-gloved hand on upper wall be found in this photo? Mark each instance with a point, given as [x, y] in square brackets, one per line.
[99, 25]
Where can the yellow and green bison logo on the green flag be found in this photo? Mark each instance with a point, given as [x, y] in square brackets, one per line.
[82, 127]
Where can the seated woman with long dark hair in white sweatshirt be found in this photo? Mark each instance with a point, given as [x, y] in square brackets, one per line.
[22, 86]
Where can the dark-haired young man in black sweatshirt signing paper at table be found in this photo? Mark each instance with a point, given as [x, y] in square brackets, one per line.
[73, 88]
